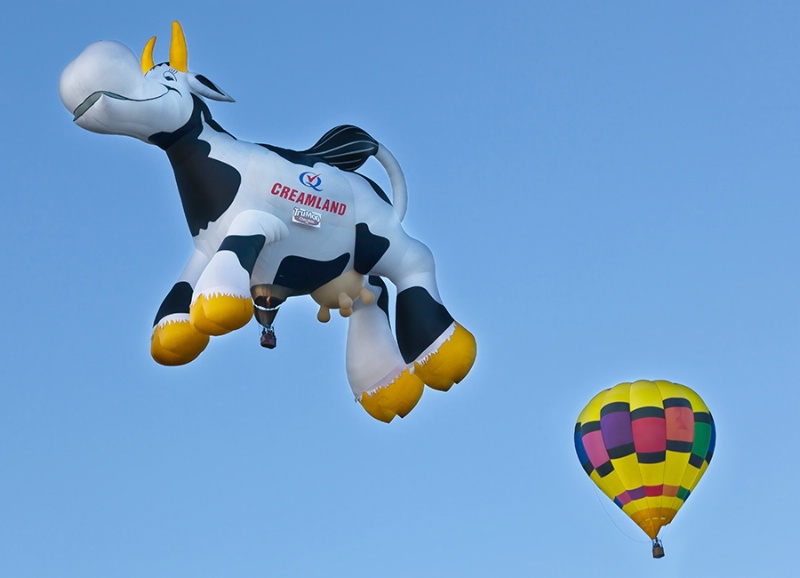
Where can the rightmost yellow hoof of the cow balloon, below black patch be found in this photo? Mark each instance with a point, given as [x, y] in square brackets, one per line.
[450, 363]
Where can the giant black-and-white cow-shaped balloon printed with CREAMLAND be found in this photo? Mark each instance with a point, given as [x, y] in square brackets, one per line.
[270, 223]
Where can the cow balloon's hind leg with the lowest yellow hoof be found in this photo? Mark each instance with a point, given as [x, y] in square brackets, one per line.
[380, 379]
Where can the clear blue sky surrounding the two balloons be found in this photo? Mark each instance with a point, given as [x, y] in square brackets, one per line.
[610, 192]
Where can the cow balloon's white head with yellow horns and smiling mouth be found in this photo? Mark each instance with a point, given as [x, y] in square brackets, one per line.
[109, 91]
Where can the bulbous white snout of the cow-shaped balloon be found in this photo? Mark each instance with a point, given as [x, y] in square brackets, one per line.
[103, 66]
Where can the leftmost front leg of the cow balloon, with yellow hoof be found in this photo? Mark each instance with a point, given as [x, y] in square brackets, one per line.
[175, 341]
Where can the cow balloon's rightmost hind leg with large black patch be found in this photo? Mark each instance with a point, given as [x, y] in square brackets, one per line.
[441, 350]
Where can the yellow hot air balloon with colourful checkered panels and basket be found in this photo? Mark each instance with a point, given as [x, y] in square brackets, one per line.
[646, 445]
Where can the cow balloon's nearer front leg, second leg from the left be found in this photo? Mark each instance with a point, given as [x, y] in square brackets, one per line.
[221, 302]
